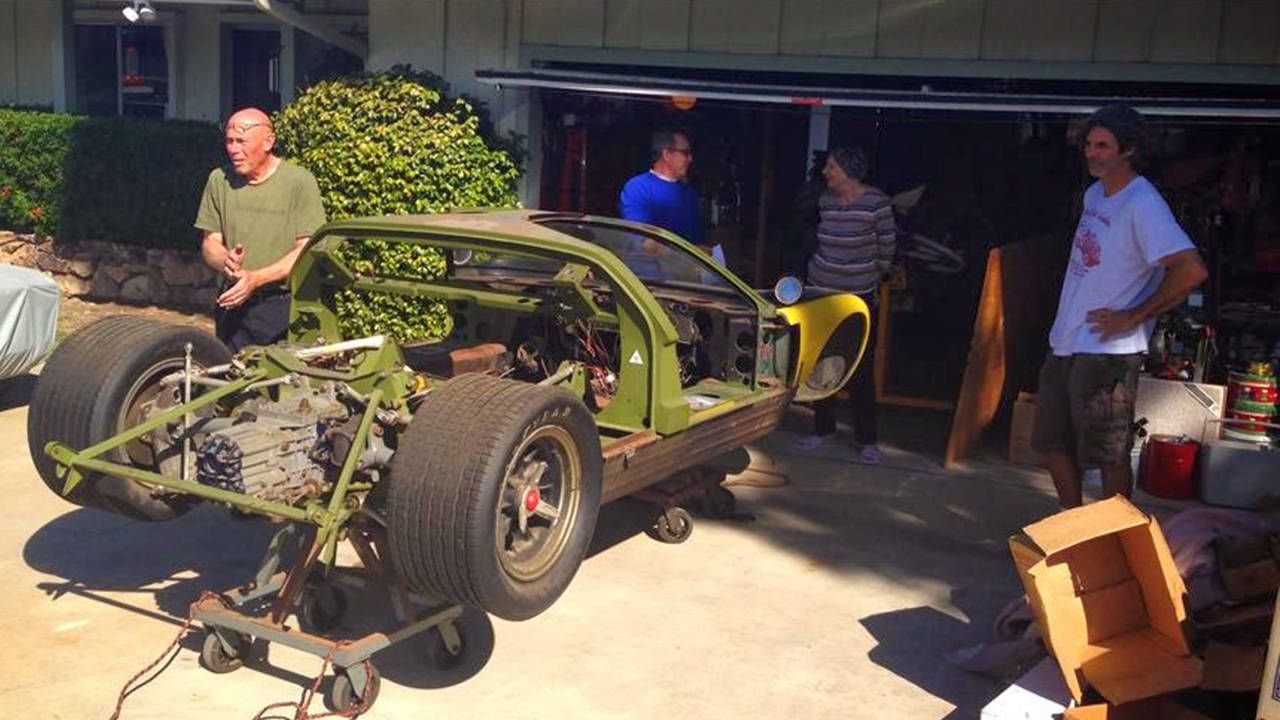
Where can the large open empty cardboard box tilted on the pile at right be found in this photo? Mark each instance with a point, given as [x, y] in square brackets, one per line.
[1109, 601]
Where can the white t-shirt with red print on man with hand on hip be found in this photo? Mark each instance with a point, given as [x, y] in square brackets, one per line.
[1116, 265]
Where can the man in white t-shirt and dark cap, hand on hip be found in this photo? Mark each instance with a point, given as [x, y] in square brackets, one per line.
[1130, 263]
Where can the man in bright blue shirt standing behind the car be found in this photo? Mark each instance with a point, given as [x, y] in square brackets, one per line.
[661, 197]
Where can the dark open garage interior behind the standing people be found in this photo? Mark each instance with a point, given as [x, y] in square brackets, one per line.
[991, 177]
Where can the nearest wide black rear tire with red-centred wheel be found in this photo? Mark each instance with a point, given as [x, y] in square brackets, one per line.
[454, 530]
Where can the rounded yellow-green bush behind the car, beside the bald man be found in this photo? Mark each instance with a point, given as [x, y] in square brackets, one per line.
[395, 143]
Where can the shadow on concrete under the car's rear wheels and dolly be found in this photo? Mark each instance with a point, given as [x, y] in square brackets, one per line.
[168, 566]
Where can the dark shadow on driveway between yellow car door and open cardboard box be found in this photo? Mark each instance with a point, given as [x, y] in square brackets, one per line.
[907, 523]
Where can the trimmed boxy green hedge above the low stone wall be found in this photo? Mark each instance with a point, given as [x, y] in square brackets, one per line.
[104, 179]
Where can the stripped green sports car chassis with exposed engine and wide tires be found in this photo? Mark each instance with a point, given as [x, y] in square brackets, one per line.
[587, 359]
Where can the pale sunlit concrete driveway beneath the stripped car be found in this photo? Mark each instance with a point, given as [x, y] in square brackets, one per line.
[838, 601]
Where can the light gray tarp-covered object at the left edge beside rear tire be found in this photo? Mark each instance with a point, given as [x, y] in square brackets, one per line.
[29, 318]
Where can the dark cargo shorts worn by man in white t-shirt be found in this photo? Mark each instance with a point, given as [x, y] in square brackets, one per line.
[1086, 405]
